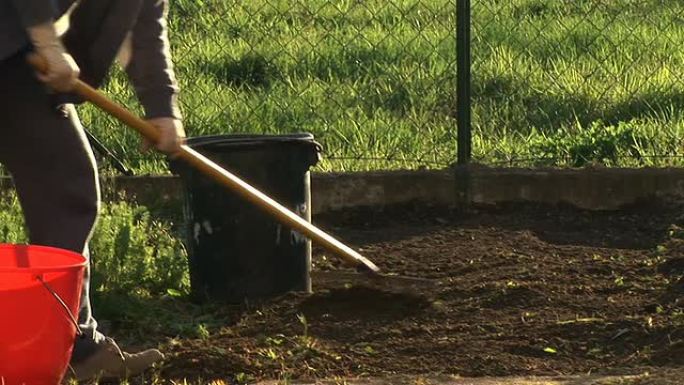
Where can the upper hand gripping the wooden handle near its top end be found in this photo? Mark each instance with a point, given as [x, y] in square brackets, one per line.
[62, 69]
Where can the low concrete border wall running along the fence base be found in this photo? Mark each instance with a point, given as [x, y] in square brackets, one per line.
[591, 188]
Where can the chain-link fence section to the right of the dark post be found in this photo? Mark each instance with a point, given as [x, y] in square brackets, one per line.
[576, 83]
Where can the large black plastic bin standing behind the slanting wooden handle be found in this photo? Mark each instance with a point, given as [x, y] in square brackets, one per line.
[237, 251]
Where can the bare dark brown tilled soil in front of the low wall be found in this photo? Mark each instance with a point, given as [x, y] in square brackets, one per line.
[521, 290]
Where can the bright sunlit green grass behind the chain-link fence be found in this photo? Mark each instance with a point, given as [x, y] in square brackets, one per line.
[375, 81]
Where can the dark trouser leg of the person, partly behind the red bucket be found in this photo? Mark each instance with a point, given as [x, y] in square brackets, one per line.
[44, 147]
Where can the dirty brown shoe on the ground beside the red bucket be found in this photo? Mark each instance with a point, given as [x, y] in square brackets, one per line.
[109, 363]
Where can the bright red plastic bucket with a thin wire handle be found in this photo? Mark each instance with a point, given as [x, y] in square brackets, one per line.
[38, 285]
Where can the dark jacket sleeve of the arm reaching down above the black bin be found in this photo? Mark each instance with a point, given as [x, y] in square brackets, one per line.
[150, 68]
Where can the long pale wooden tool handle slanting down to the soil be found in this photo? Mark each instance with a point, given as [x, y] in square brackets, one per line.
[220, 175]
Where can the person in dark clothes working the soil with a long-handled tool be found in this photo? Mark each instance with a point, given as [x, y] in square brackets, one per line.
[43, 144]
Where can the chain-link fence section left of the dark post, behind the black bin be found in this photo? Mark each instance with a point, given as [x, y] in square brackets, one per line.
[374, 80]
